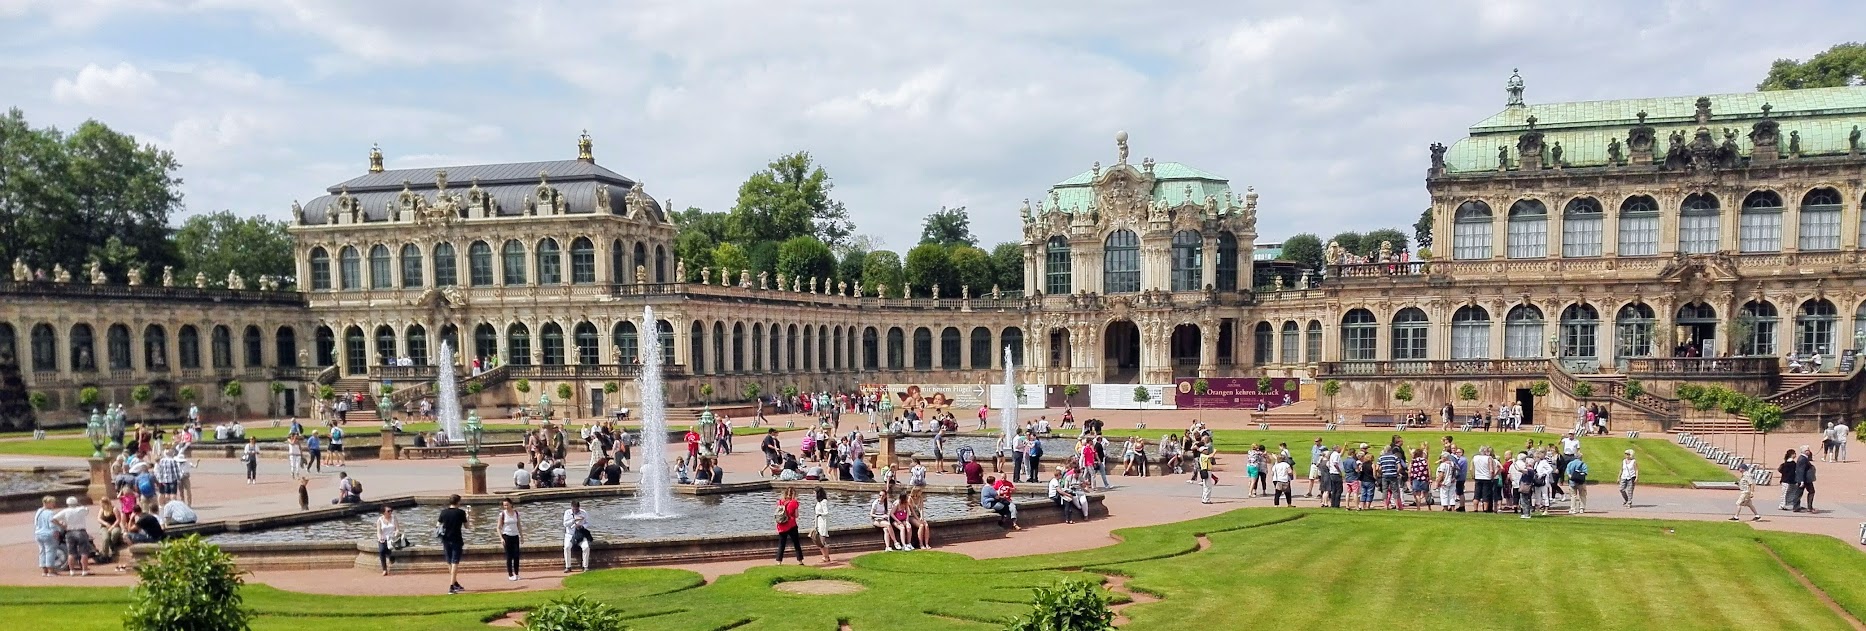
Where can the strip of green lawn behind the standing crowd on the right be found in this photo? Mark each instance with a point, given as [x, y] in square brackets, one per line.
[1660, 462]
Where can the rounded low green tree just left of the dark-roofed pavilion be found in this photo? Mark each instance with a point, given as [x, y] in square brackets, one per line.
[223, 242]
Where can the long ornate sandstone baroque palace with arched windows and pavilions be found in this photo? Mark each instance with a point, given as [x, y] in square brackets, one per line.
[1583, 245]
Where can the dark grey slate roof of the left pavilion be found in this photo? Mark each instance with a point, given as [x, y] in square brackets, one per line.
[508, 184]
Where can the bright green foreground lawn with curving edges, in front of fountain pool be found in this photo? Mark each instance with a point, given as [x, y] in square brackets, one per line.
[1266, 568]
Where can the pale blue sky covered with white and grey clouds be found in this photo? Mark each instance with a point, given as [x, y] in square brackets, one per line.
[1326, 107]
